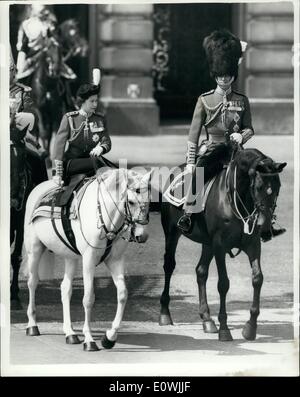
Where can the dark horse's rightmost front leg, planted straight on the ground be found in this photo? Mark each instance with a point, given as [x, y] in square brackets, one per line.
[249, 330]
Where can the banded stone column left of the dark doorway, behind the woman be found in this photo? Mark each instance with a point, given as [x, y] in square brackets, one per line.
[125, 56]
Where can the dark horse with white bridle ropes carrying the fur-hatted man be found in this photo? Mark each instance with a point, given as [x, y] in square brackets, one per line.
[239, 207]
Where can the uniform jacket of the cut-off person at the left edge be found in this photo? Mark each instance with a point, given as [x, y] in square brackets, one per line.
[20, 101]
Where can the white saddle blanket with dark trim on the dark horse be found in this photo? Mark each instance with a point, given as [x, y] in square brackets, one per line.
[176, 192]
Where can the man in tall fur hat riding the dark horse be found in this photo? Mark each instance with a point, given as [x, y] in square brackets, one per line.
[224, 114]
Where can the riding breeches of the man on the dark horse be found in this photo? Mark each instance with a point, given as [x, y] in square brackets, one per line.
[212, 161]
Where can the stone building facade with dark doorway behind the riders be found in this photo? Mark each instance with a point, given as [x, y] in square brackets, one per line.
[154, 68]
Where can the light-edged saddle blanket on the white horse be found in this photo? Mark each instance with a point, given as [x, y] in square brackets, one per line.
[44, 206]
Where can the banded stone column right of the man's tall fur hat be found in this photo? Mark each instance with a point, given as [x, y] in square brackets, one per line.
[269, 69]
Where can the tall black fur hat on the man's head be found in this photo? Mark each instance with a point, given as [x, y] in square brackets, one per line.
[223, 51]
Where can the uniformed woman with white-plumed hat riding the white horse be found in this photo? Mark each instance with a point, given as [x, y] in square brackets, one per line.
[81, 140]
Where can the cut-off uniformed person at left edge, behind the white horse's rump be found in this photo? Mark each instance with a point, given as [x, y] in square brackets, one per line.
[24, 144]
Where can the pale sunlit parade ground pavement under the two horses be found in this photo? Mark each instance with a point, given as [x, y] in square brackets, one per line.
[144, 347]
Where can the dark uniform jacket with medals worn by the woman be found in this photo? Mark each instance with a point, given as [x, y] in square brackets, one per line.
[82, 133]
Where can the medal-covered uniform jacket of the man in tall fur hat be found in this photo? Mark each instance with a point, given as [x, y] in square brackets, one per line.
[221, 113]
